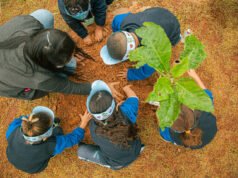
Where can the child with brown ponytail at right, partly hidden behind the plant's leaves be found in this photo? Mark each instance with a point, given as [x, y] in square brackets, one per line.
[192, 129]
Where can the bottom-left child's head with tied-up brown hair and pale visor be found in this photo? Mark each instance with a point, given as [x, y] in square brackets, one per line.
[38, 126]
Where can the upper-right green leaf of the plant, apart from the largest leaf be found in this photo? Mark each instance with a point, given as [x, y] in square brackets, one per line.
[194, 51]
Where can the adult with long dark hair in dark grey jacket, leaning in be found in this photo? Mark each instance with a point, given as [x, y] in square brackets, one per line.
[36, 59]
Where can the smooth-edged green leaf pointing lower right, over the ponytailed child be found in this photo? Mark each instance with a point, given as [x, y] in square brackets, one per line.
[190, 94]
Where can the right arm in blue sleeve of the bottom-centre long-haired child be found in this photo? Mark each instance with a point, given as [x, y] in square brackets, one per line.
[130, 107]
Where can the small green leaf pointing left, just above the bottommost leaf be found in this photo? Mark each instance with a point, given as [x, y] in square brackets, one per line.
[162, 90]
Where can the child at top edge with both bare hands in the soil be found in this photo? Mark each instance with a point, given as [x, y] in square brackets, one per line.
[80, 13]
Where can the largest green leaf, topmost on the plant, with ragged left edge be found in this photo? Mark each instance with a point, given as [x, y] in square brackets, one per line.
[155, 50]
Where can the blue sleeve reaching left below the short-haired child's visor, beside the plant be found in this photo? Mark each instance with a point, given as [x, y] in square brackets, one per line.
[140, 74]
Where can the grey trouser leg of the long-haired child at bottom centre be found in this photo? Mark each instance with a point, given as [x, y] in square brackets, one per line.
[91, 153]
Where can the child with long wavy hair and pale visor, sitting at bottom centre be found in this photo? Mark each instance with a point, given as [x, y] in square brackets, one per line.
[113, 128]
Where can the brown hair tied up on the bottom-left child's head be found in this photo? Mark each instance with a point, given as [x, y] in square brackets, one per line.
[36, 124]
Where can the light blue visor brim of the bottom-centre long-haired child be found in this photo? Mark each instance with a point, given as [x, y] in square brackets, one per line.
[97, 85]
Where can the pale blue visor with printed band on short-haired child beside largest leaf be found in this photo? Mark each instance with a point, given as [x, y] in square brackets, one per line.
[107, 59]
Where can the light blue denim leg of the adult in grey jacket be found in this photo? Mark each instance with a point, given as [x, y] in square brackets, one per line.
[45, 17]
